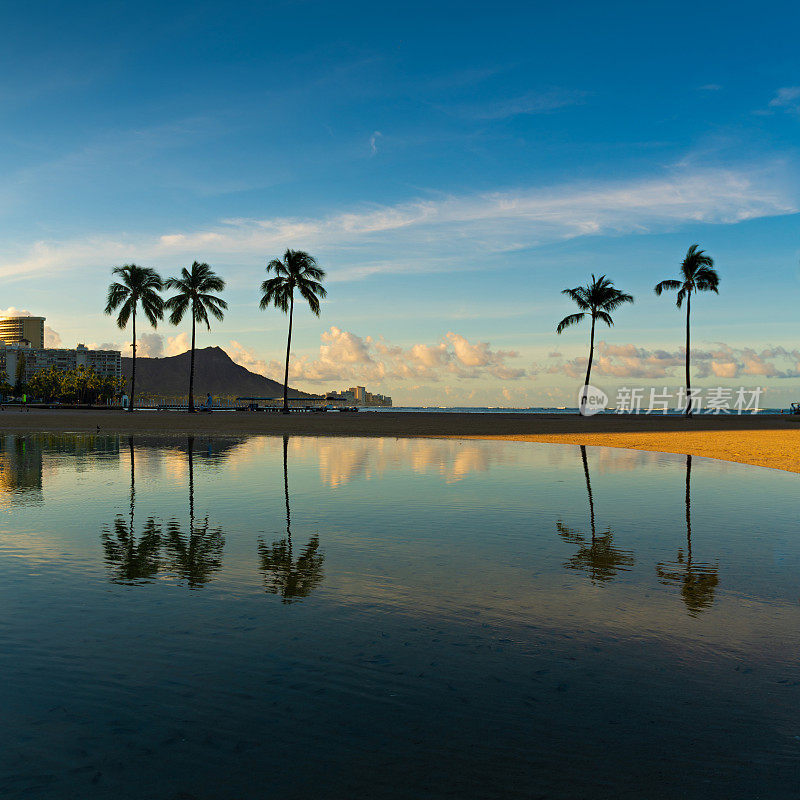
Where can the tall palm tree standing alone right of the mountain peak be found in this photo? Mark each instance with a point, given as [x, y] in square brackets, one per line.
[298, 270]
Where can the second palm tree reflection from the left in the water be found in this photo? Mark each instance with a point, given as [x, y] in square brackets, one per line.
[196, 557]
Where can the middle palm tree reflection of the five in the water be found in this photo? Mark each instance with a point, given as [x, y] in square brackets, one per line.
[291, 579]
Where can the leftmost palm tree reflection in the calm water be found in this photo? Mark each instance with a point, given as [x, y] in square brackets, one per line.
[132, 561]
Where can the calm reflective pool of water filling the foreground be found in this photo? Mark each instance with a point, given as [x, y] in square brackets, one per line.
[345, 618]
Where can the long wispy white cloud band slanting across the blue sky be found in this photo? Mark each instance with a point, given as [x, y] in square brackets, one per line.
[367, 239]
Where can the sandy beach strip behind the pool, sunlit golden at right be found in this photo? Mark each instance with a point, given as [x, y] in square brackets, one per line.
[766, 441]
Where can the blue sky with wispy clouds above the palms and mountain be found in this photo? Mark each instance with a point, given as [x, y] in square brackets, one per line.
[452, 166]
